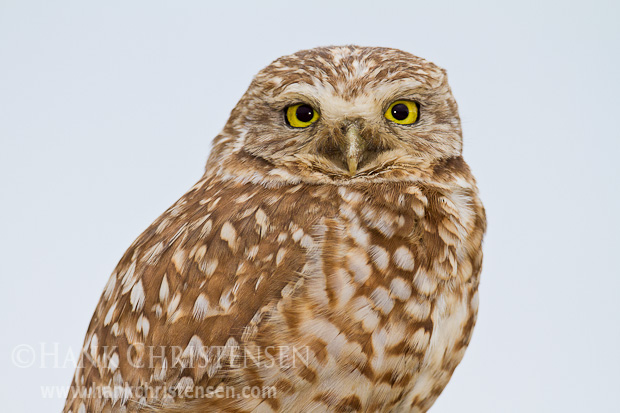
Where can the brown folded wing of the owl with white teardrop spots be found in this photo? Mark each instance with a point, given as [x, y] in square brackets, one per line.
[201, 276]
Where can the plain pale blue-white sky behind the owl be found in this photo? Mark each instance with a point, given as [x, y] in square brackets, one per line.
[107, 111]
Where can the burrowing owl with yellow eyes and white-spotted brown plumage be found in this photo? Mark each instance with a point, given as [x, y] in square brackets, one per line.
[328, 259]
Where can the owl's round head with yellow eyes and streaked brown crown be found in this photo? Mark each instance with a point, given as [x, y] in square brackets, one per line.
[340, 114]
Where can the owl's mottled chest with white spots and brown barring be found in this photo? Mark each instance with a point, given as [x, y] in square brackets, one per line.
[377, 307]
